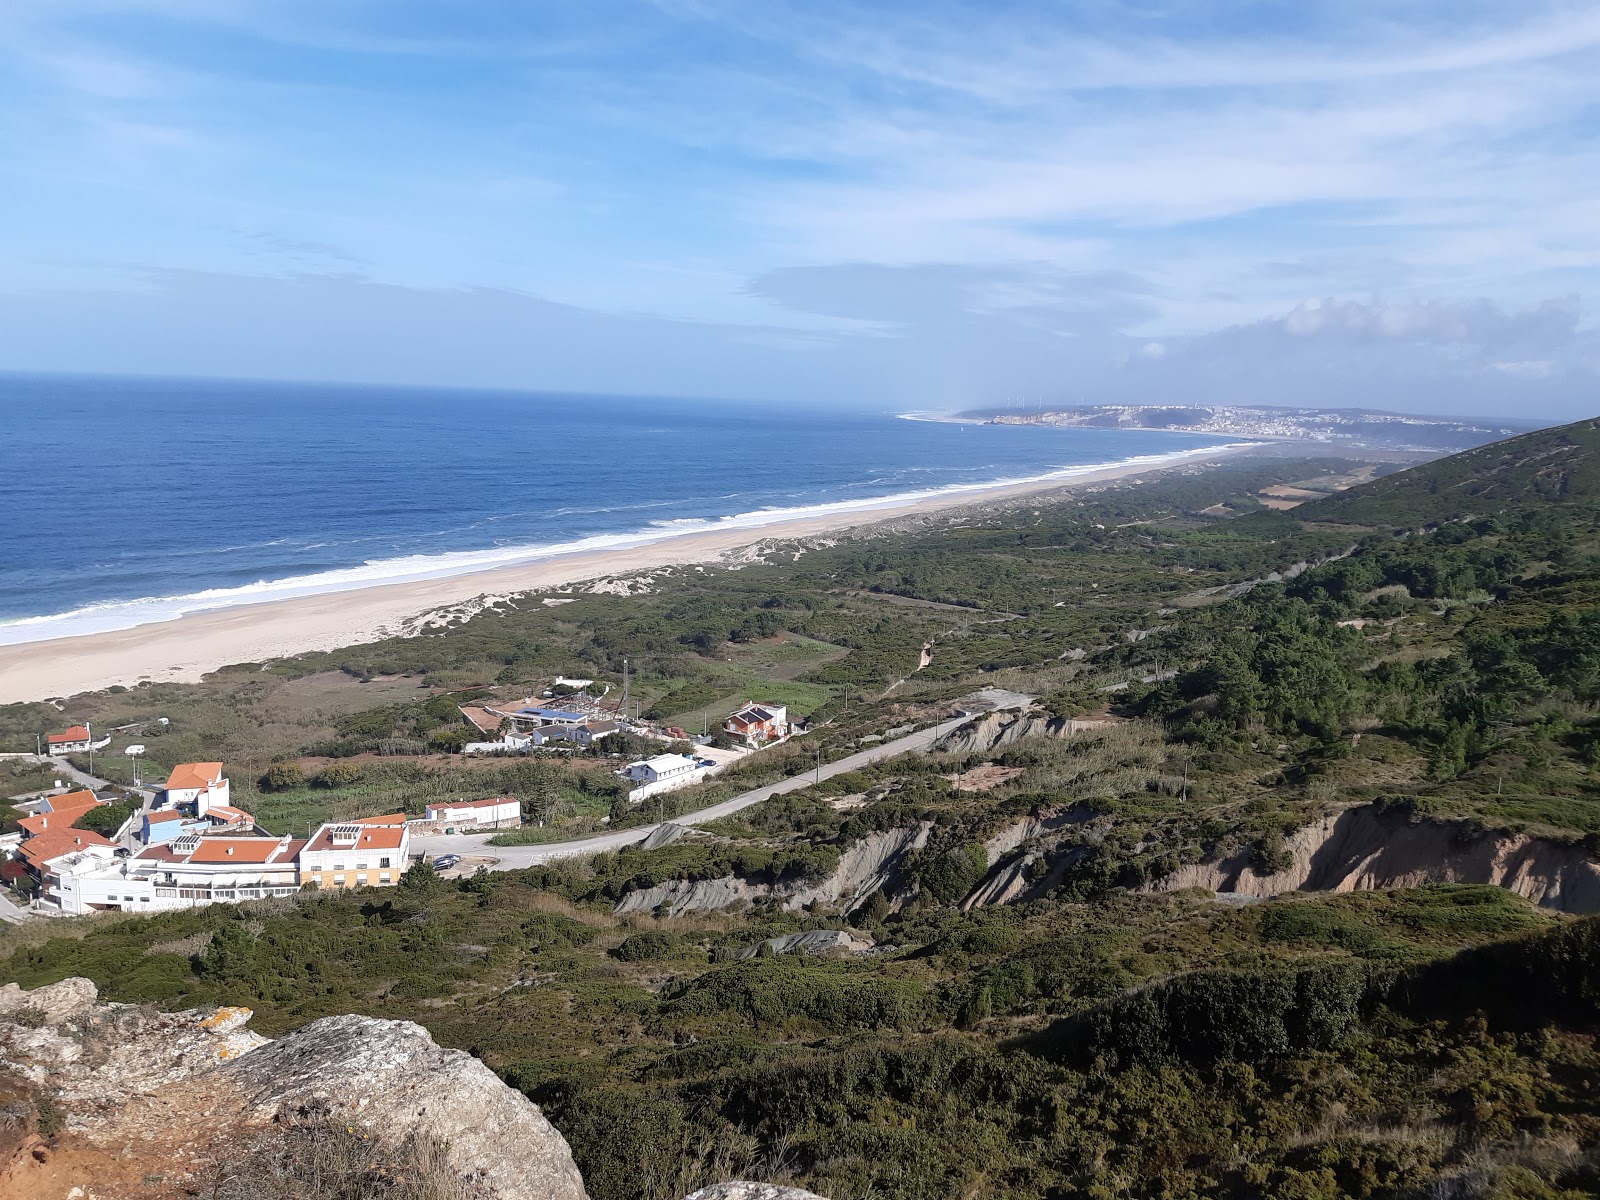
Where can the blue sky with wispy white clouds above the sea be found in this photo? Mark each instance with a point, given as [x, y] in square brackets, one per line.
[922, 204]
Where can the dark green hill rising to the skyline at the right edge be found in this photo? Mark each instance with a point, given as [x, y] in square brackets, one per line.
[1550, 466]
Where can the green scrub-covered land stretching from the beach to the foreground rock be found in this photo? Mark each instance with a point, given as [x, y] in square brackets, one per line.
[1300, 908]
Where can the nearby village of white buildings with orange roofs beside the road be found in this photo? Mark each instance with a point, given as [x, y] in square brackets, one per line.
[185, 844]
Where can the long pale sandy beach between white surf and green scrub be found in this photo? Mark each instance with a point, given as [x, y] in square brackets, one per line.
[186, 649]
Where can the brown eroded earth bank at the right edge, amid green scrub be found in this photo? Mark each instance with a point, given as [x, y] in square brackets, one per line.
[1366, 850]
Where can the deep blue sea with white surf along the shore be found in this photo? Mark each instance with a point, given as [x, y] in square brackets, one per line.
[126, 502]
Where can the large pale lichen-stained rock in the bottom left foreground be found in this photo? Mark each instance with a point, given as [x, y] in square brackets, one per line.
[191, 1094]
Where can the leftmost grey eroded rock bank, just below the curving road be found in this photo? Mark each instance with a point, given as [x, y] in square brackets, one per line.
[865, 868]
